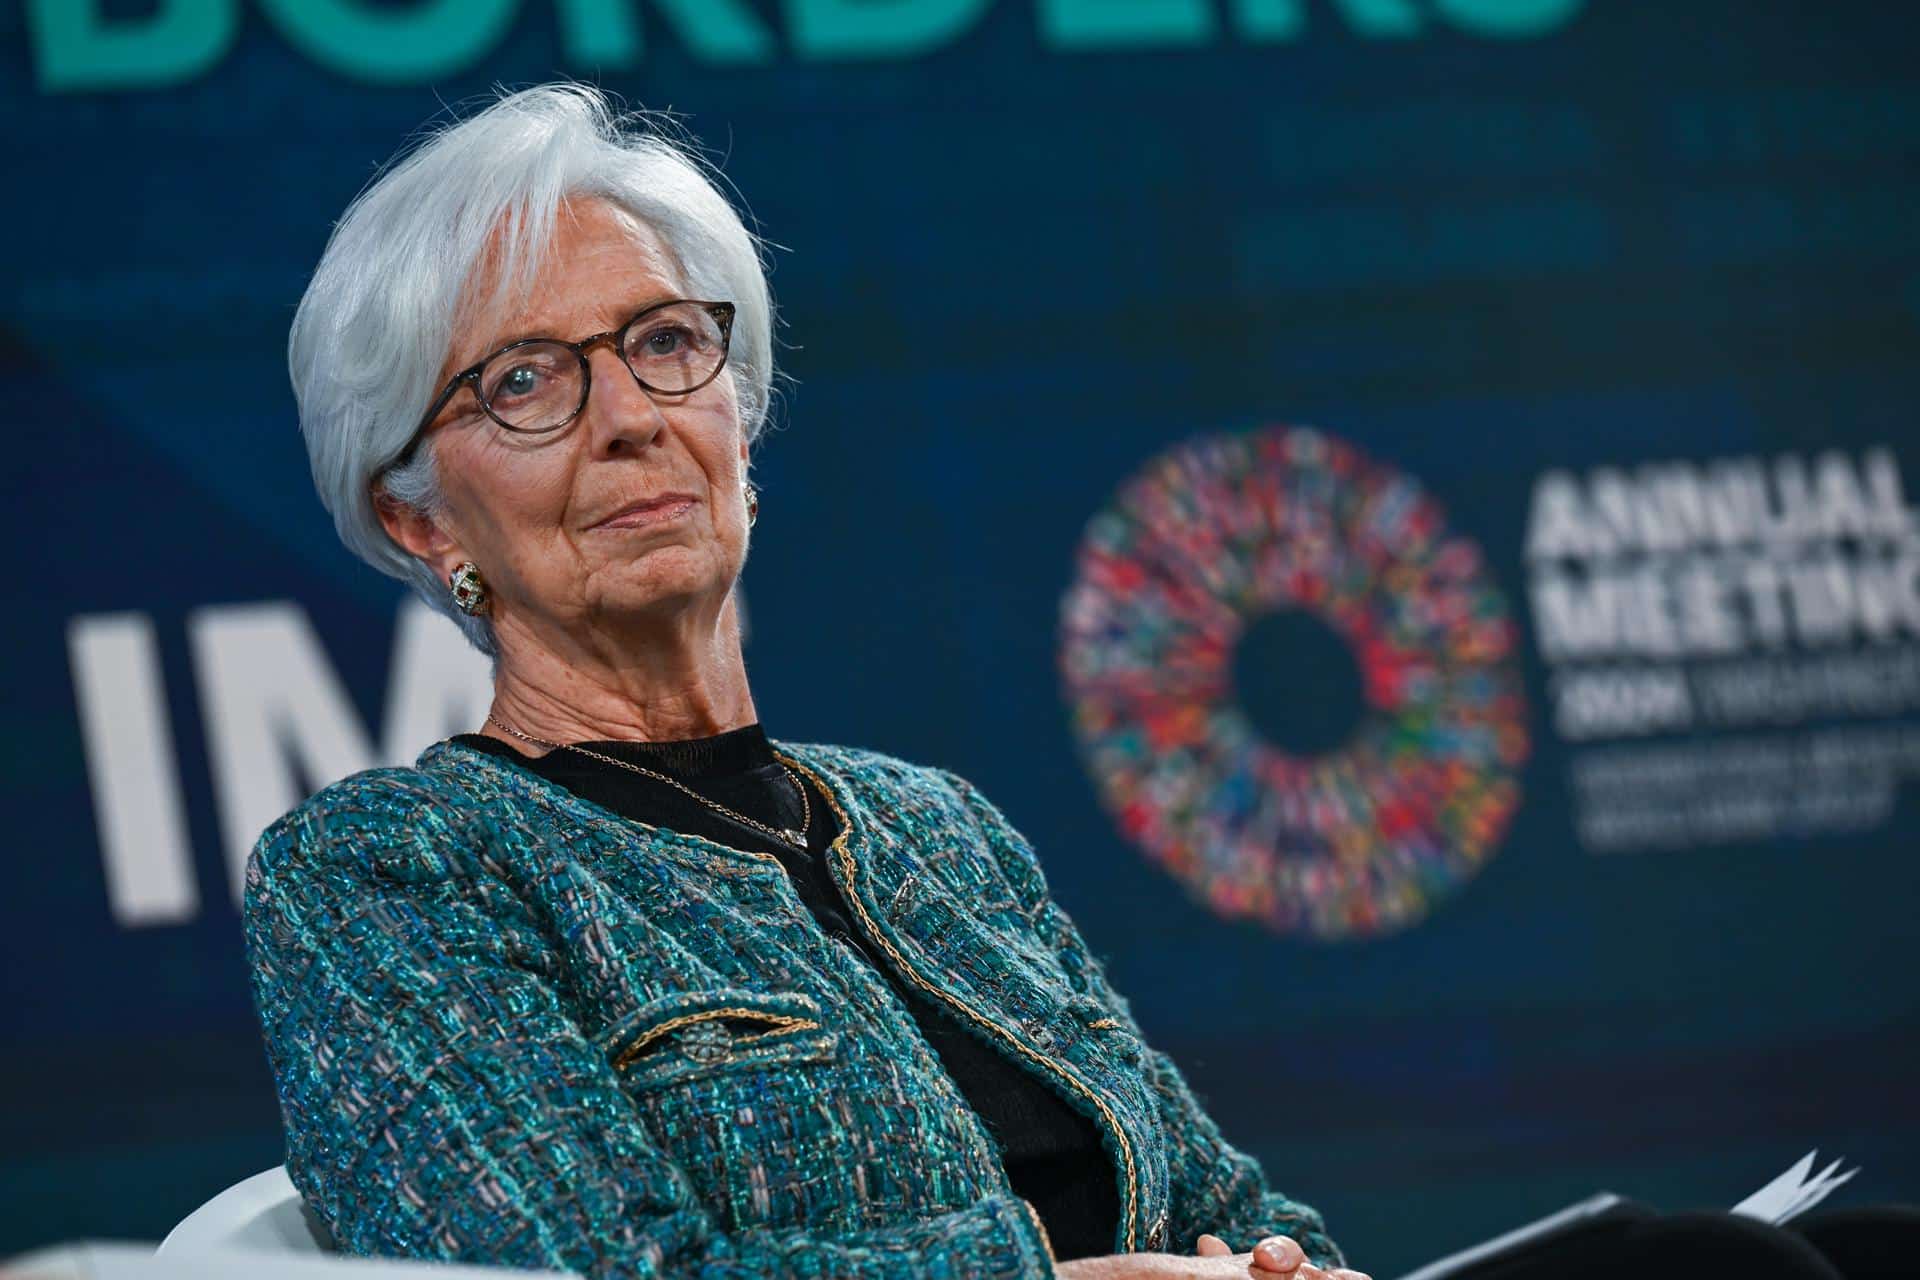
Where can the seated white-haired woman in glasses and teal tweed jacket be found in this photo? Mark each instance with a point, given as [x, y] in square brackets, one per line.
[619, 984]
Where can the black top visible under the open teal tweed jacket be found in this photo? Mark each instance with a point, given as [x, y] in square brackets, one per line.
[1053, 1152]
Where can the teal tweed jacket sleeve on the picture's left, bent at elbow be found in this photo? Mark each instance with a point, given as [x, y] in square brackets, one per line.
[443, 1104]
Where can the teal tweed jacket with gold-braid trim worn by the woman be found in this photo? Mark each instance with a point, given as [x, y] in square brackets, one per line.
[514, 1028]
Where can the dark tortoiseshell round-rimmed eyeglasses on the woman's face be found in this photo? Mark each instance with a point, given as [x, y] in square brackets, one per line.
[540, 385]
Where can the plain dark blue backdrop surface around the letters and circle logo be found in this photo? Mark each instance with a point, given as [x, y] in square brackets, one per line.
[1656, 231]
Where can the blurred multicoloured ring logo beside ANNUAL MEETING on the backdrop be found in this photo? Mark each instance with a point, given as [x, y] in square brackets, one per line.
[1220, 533]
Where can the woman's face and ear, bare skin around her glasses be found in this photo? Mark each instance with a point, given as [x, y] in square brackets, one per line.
[531, 511]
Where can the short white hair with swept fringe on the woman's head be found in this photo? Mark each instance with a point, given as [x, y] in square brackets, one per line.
[402, 270]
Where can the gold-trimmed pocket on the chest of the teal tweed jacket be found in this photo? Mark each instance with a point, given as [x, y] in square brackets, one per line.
[700, 1033]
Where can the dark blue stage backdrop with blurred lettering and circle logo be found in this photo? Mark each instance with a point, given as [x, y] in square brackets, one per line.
[1408, 504]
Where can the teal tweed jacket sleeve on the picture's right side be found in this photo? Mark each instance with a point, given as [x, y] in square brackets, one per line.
[1216, 1187]
